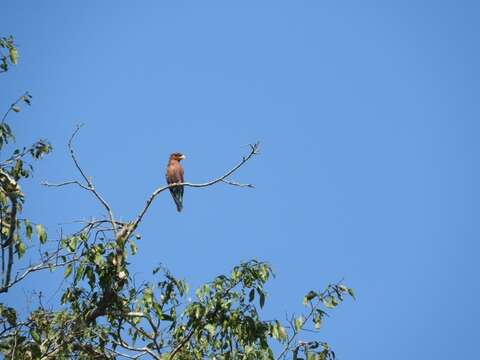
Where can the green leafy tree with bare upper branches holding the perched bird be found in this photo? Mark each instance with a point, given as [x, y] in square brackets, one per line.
[105, 314]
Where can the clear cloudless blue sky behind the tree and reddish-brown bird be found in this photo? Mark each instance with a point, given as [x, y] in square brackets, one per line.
[368, 114]
